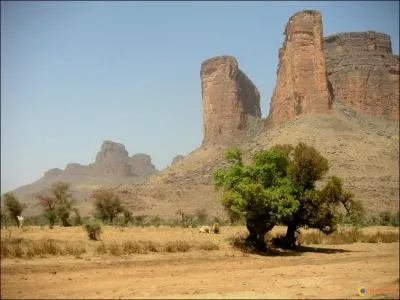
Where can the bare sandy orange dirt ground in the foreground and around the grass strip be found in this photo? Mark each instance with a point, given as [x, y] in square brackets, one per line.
[318, 271]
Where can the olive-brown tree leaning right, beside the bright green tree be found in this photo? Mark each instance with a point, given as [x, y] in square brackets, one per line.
[318, 209]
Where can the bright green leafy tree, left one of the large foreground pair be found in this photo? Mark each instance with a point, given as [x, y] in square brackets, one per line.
[260, 192]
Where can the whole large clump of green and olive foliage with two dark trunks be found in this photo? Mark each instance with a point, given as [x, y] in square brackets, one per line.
[279, 186]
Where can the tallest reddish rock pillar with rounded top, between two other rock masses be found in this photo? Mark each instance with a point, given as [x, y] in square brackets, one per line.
[302, 85]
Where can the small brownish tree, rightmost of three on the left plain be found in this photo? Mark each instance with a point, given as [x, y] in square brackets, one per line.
[107, 204]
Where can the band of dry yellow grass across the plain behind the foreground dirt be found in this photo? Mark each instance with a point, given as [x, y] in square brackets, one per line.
[73, 241]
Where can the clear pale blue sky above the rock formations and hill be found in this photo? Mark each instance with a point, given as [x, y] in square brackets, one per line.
[74, 74]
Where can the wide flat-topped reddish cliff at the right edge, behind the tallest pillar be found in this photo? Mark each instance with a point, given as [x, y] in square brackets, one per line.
[363, 72]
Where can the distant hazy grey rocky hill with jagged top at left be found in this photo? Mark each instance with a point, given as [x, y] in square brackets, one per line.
[112, 166]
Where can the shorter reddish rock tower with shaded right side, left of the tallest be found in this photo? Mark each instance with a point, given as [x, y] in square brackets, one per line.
[229, 99]
